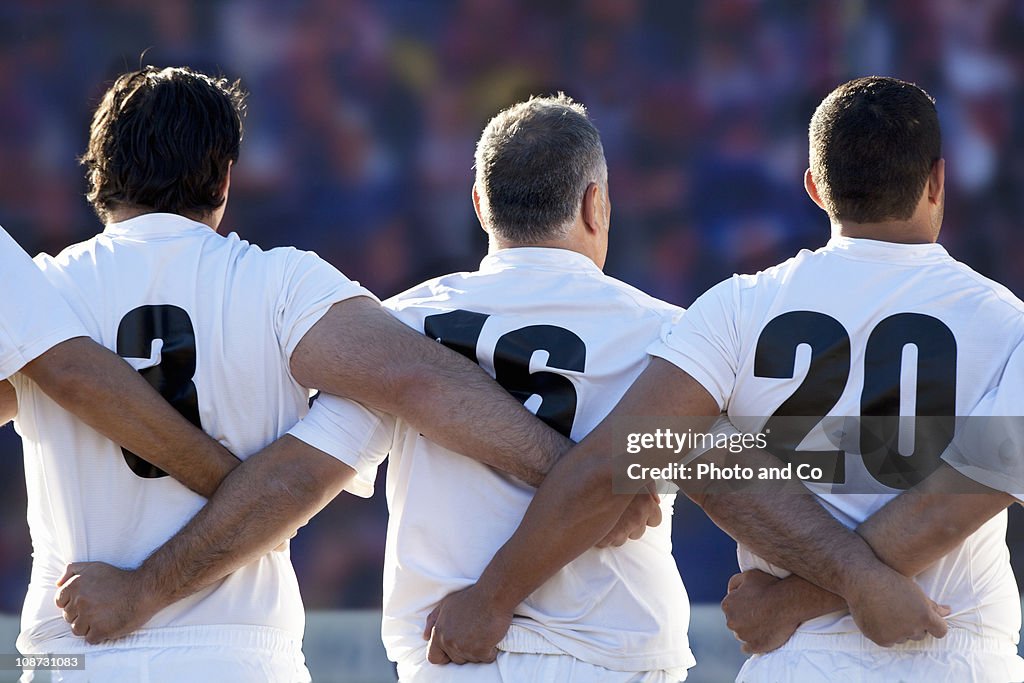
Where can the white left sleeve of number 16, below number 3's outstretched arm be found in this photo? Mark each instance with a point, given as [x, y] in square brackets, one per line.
[354, 435]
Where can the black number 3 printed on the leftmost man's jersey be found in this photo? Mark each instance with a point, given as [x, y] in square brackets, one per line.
[174, 377]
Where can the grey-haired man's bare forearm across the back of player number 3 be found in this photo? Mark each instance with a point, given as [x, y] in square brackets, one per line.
[260, 506]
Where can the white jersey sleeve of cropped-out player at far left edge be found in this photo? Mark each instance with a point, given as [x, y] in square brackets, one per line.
[33, 317]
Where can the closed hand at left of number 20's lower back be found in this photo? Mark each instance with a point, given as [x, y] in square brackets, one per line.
[757, 614]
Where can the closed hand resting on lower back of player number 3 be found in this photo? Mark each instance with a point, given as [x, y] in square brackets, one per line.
[103, 603]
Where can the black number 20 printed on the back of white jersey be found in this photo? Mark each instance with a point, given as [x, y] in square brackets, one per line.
[828, 375]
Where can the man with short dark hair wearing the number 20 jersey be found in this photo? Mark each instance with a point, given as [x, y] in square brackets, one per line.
[880, 323]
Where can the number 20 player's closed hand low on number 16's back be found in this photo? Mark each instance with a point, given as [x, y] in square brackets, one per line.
[465, 627]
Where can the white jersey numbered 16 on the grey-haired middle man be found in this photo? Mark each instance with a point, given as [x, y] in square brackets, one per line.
[569, 341]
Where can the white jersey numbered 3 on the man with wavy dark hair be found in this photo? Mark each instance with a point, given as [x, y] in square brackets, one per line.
[212, 322]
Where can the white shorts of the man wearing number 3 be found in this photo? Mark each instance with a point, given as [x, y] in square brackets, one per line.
[248, 654]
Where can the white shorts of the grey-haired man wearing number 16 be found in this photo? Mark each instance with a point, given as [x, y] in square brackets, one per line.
[519, 668]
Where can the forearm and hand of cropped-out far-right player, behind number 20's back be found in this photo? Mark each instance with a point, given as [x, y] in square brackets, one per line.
[910, 534]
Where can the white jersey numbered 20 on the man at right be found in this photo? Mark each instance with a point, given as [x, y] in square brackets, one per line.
[869, 328]
